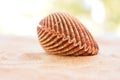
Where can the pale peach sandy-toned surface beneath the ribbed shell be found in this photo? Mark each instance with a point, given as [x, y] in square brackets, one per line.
[22, 58]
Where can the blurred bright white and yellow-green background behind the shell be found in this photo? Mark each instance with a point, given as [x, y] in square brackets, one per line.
[21, 17]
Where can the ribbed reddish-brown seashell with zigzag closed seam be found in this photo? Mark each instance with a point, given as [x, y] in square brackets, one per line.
[62, 34]
